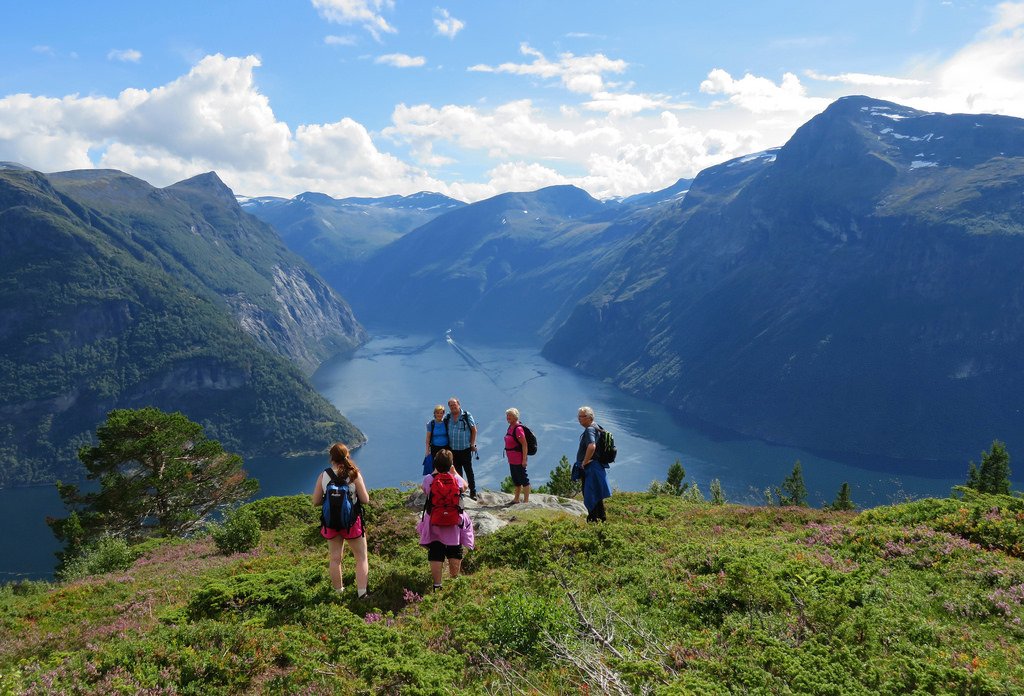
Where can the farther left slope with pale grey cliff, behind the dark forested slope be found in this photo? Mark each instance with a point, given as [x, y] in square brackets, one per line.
[200, 234]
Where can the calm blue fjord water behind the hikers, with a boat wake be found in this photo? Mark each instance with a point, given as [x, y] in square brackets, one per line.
[390, 387]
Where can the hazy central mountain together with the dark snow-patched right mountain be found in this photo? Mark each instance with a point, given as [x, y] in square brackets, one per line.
[856, 292]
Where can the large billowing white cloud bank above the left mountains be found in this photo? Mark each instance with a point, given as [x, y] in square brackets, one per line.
[214, 118]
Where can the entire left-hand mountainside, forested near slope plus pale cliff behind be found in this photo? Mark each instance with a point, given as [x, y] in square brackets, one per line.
[116, 294]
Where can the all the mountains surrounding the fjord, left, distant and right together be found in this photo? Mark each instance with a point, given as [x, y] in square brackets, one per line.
[857, 291]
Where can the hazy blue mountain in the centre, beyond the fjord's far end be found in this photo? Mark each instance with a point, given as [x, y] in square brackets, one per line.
[509, 269]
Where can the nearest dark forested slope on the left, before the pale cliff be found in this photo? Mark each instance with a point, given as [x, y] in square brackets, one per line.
[97, 313]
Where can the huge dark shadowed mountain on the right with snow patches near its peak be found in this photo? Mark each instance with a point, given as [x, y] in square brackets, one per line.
[858, 291]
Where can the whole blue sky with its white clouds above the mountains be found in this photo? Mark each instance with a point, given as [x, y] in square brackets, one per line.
[472, 99]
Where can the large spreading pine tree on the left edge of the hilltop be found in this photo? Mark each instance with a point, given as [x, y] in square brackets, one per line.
[159, 476]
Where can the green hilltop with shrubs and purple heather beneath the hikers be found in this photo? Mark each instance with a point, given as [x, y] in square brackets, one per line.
[669, 597]
